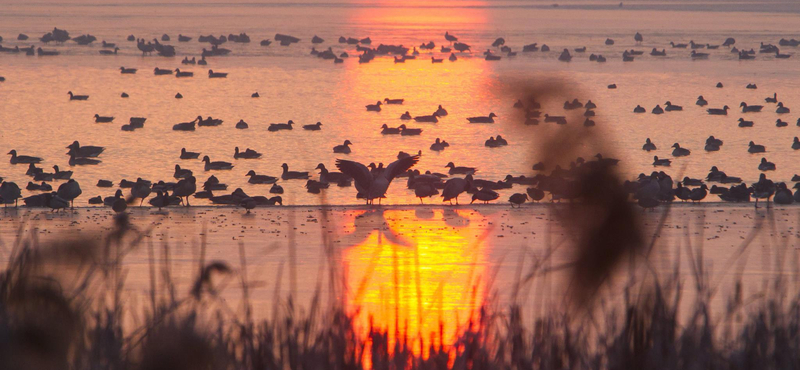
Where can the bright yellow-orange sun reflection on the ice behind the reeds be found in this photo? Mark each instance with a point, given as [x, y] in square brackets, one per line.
[415, 278]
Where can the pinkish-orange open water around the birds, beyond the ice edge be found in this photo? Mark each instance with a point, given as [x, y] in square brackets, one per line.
[38, 119]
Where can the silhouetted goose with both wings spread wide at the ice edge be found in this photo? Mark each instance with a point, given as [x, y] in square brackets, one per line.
[373, 185]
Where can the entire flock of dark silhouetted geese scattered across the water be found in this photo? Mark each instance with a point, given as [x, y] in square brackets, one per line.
[372, 181]
